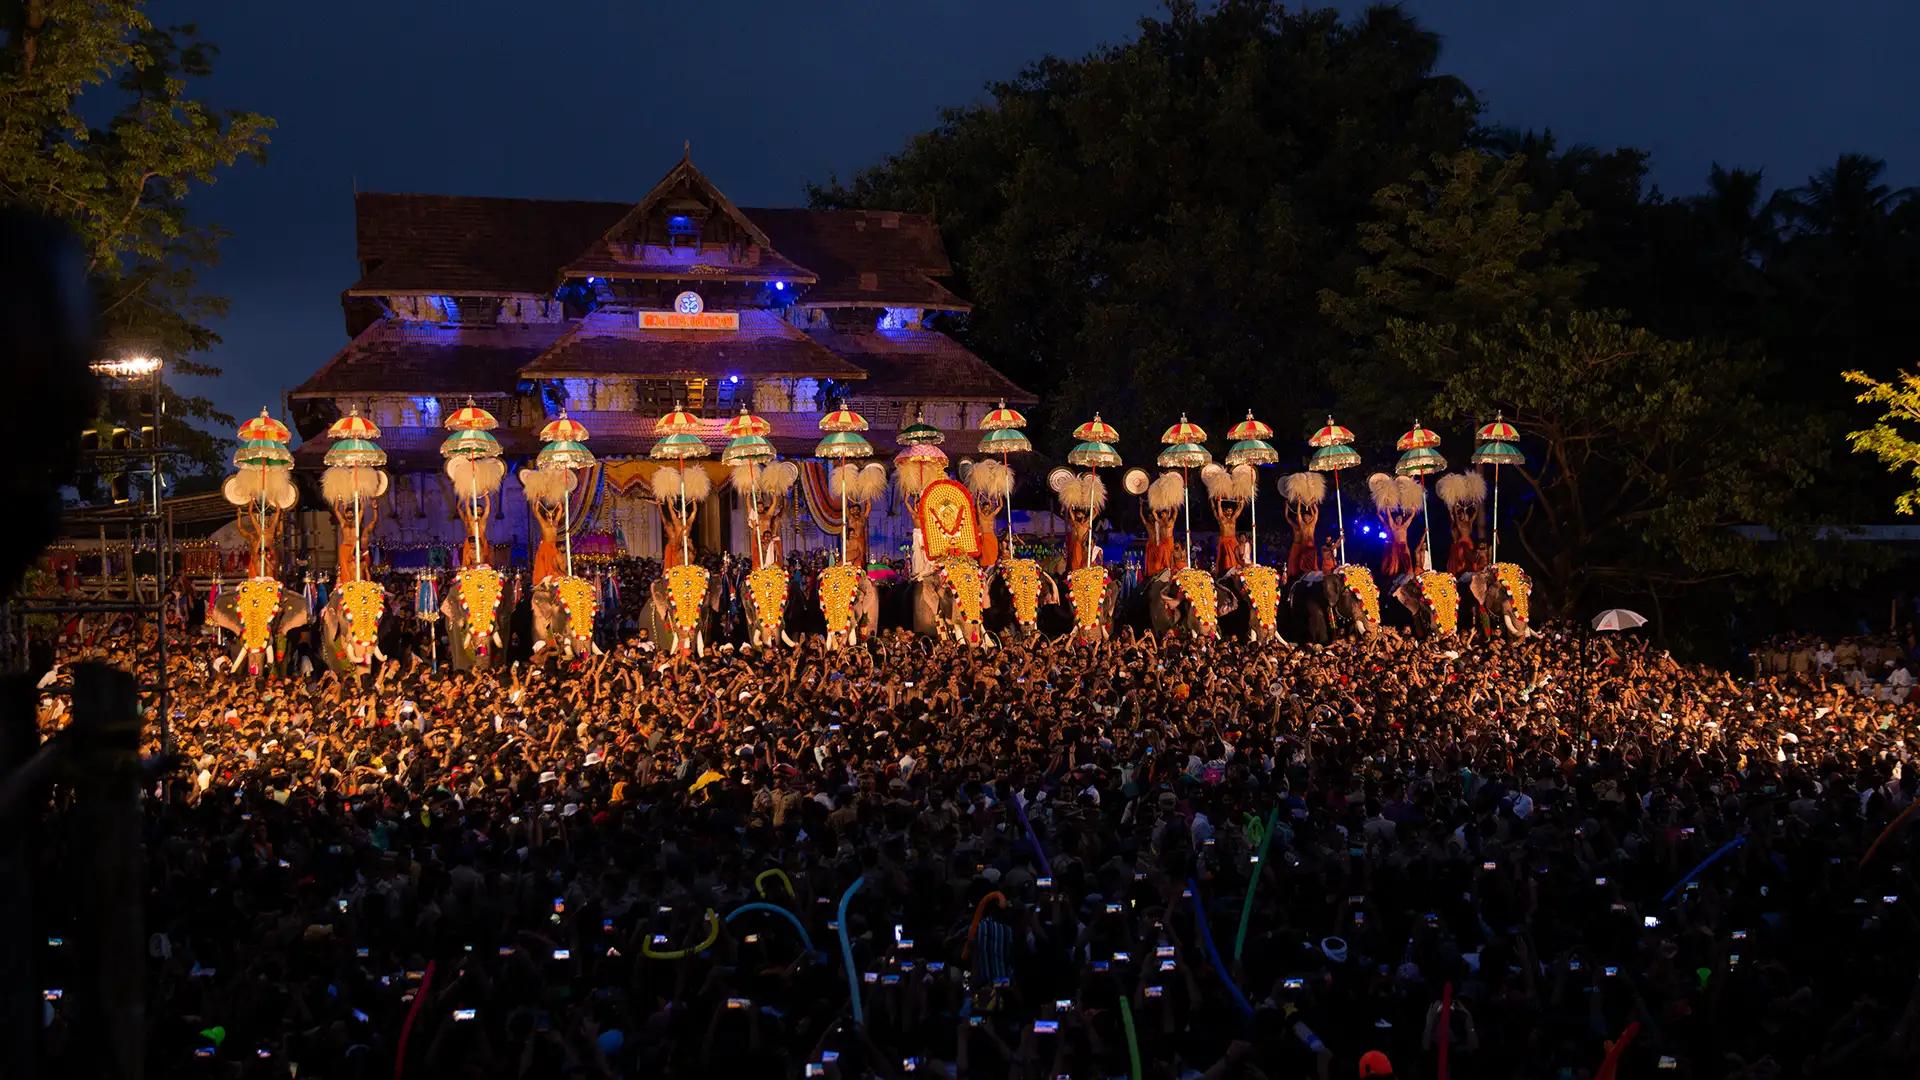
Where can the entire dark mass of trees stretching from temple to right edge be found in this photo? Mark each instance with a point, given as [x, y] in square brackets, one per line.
[1295, 212]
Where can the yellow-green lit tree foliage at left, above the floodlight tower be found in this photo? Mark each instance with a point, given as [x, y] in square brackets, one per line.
[99, 130]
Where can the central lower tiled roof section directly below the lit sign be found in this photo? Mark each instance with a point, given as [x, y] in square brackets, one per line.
[765, 347]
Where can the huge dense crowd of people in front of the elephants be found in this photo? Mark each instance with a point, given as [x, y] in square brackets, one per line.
[1153, 858]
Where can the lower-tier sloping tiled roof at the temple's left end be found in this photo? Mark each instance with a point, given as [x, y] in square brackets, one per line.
[418, 358]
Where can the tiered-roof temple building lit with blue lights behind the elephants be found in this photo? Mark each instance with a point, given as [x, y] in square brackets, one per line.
[619, 312]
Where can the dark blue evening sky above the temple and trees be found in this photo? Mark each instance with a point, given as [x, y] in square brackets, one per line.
[594, 99]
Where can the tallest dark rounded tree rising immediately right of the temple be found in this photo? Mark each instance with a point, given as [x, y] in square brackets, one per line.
[1147, 230]
